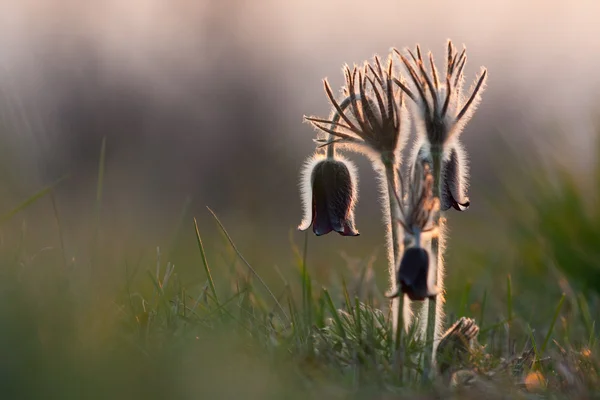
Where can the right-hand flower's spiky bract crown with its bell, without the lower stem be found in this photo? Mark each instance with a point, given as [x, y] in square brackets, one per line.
[443, 111]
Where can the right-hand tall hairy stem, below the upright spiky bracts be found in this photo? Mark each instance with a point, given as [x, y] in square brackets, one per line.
[434, 307]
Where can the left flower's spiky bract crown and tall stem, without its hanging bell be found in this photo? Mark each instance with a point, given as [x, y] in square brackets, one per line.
[372, 119]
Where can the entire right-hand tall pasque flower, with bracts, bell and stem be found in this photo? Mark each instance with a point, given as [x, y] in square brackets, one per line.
[441, 112]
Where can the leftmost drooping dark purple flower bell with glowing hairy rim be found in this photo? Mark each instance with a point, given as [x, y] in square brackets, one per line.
[329, 193]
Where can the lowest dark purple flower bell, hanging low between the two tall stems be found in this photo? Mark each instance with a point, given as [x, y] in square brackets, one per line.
[412, 274]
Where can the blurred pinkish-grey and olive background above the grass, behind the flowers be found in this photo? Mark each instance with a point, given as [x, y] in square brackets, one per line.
[201, 104]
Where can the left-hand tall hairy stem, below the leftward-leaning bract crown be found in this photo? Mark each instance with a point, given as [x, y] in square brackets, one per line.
[394, 234]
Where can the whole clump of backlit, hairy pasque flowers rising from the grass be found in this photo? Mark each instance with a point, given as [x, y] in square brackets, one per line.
[372, 118]
